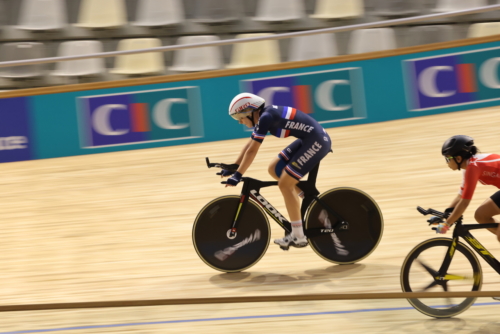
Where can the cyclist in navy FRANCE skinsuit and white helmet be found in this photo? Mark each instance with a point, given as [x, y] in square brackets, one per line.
[312, 145]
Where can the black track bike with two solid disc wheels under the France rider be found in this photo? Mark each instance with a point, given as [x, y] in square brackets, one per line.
[232, 233]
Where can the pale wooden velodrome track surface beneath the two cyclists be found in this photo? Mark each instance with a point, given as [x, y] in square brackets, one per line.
[117, 226]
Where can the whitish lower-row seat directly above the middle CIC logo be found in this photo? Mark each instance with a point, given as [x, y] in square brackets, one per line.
[312, 47]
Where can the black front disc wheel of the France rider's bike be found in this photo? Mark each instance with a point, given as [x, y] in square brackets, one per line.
[211, 237]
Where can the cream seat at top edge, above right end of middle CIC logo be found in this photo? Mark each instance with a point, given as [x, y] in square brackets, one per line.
[338, 9]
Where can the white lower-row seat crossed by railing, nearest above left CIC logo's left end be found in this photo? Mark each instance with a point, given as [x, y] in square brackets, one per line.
[82, 67]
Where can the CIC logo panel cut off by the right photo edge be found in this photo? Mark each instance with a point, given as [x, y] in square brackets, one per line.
[452, 80]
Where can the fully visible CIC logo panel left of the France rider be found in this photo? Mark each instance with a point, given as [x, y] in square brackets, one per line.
[140, 117]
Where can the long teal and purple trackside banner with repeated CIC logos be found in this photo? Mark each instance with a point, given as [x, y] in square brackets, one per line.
[194, 111]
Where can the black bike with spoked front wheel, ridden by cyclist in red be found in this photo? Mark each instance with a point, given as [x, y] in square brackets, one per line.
[446, 264]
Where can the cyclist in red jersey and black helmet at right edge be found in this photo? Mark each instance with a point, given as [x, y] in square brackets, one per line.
[461, 154]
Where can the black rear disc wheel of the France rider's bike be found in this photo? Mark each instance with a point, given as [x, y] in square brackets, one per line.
[365, 225]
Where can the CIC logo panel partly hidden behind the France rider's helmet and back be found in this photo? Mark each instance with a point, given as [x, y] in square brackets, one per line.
[329, 96]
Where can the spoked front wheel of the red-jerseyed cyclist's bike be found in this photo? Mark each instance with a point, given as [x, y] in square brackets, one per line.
[420, 269]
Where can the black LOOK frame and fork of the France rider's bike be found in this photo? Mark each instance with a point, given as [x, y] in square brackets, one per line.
[251, 188]
